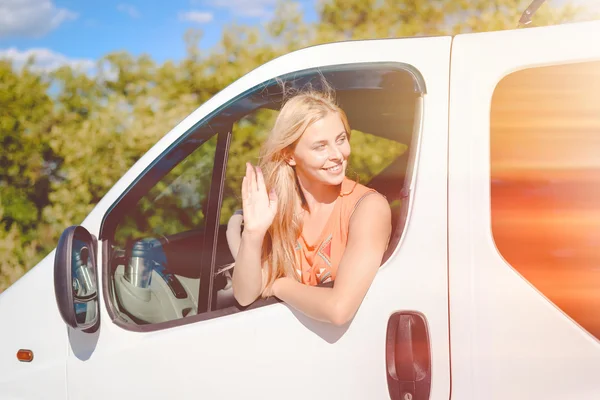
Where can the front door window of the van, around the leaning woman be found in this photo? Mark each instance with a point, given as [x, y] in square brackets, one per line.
[167, 257]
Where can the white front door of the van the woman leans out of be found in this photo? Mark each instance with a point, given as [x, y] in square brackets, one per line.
[178, 333]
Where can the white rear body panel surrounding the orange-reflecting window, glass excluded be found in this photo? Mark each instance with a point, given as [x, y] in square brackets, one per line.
[508, 340]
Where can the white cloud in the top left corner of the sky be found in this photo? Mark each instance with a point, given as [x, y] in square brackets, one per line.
[31, 18]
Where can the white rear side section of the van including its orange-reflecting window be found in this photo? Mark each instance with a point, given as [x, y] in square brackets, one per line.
[524, 174]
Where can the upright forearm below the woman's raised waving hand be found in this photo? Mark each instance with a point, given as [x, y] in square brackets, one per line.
[247, 275]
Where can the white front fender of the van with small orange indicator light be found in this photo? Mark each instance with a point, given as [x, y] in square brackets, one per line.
[30, 320]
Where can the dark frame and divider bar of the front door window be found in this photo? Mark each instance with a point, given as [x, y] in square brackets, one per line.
[145, 180]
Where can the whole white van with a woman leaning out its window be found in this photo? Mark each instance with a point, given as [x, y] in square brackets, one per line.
[488, 149]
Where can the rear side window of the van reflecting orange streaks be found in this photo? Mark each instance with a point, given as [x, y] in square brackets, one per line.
[545, 183]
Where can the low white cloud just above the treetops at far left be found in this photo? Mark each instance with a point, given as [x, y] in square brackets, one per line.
[46, 60]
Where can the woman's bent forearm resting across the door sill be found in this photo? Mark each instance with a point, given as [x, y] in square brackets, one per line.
[319, 303]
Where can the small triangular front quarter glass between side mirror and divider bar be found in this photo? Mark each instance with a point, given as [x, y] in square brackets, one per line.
[159, 241]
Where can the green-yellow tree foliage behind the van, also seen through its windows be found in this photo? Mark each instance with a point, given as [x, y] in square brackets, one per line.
[67, 137]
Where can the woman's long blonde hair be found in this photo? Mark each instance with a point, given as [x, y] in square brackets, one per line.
[300, 111]
